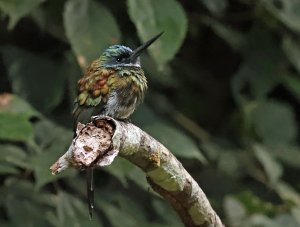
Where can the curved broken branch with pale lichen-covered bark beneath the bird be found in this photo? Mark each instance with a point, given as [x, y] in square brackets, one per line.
[99, 142]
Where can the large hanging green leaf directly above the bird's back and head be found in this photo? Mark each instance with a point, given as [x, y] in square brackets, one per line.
[91, 28]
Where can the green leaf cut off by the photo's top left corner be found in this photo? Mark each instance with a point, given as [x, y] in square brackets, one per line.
[16, 9]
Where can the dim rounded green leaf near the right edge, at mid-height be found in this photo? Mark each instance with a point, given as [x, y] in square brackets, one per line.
[275, 123]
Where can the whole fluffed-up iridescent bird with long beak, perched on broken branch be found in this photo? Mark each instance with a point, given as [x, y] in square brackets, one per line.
[113, 85]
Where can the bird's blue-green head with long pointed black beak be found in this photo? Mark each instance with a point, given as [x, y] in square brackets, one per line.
[122, 56]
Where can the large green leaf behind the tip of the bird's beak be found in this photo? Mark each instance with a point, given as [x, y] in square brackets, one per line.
[153, 17]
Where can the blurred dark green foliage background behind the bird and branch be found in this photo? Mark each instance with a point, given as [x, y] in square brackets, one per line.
[224, 92]
